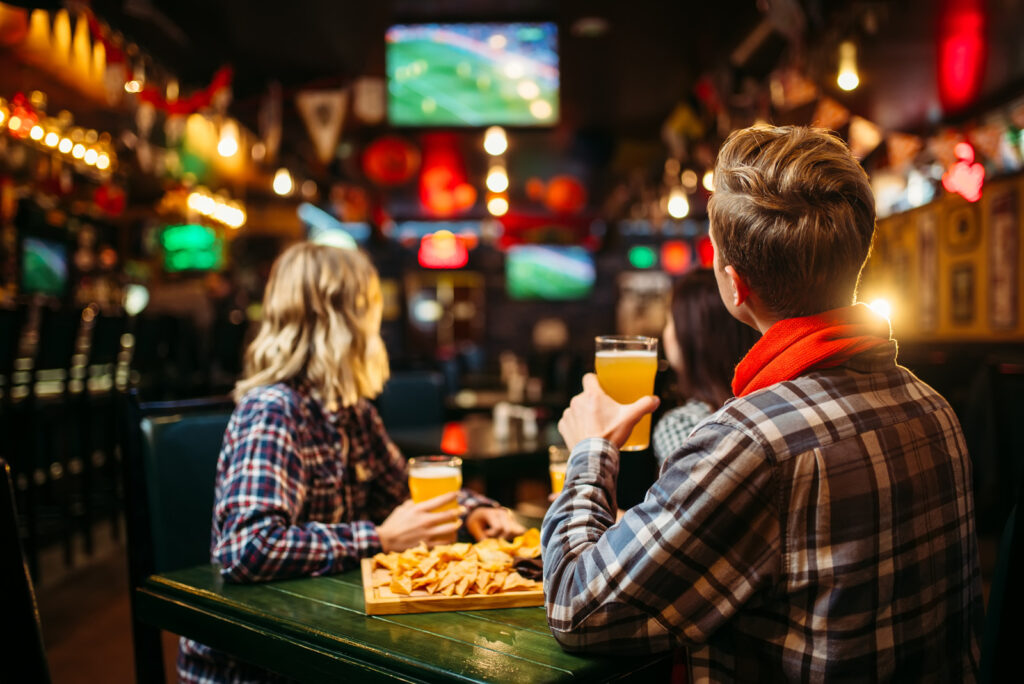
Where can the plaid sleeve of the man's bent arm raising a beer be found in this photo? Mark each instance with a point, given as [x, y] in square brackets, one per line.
[678, 566]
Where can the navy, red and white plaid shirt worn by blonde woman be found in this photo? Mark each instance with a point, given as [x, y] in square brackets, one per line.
[301, 491]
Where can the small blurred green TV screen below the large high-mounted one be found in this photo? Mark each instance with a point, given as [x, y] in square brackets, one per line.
[543, 272]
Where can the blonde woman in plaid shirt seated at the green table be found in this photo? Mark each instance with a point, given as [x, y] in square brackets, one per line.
[308, 481]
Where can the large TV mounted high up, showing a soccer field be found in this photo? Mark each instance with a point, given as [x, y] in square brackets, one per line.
[473, 74]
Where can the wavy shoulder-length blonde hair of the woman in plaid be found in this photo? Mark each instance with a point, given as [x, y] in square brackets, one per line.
[322, 318]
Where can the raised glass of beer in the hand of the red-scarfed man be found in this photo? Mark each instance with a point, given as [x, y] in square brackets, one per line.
[626, 368]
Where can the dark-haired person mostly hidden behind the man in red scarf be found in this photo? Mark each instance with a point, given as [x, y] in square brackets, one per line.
[703, 345]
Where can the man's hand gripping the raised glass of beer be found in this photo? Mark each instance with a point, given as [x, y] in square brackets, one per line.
[594, 414]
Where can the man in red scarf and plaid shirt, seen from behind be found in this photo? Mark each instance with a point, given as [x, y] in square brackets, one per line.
[820, 527]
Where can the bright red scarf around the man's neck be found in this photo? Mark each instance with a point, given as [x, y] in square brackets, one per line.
[821, 341]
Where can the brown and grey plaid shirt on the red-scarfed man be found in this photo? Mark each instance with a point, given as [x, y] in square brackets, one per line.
[819, 530]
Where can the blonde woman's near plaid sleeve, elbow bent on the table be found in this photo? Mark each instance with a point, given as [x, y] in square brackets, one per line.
[262, 493]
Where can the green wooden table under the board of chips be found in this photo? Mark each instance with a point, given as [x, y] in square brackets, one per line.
[315, 630]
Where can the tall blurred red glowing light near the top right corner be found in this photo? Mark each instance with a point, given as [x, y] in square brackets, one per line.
[963, 52]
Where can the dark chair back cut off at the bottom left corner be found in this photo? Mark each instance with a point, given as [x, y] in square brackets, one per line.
[22, 649]
